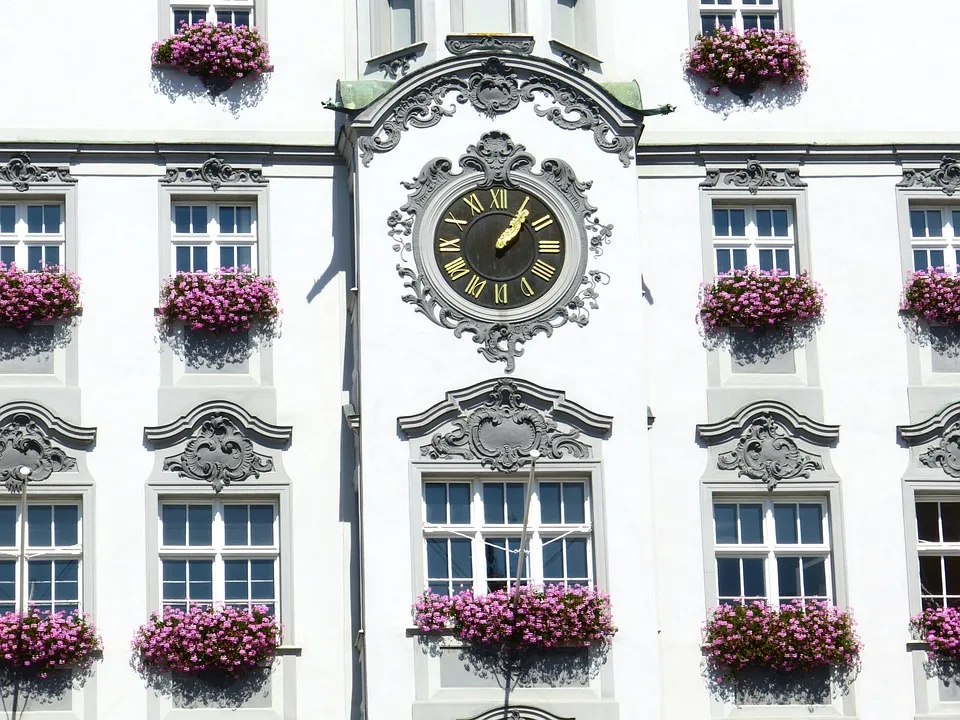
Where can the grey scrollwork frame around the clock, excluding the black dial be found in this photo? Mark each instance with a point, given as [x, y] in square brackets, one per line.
[497, 160]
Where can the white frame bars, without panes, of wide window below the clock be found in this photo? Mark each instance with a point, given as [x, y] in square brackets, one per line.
[478, 531]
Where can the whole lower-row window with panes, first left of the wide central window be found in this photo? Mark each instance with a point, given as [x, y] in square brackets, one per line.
[219, 553]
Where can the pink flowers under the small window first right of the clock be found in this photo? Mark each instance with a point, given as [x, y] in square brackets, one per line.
[753, 299]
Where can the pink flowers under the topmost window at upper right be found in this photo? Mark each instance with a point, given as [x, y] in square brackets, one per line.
[746, 59]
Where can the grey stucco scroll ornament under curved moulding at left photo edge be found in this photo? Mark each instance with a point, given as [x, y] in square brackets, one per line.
[23, 443]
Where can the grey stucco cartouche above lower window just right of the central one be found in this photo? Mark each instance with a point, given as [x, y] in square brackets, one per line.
[766, 452]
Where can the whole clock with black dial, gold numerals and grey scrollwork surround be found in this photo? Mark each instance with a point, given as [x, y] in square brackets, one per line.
[499, 250]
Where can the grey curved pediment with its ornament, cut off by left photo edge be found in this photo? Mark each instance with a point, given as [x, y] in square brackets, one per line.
[30, 436]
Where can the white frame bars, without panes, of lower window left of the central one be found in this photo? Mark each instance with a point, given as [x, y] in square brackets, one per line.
[218, 552]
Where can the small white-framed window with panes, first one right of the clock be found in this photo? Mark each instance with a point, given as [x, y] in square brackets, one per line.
[754, 235]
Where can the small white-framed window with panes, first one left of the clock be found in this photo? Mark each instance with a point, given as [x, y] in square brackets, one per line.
[211, 236]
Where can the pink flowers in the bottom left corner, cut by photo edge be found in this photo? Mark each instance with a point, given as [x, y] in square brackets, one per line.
[38, 641]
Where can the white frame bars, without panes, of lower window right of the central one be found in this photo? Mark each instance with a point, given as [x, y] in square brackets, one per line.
[769, 550]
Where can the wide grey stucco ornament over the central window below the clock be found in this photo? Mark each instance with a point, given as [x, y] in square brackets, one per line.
[502, 432]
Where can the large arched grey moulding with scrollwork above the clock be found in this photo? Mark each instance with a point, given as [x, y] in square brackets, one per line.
[494, 85]
